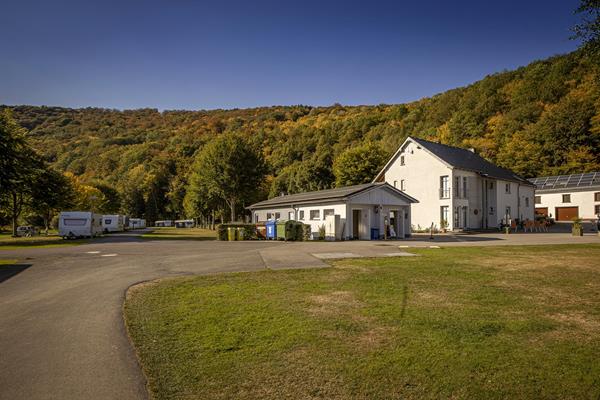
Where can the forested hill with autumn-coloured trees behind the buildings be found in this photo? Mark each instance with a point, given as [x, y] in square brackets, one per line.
[540, 119]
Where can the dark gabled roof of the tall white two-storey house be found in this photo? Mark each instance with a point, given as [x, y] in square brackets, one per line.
[456, 157]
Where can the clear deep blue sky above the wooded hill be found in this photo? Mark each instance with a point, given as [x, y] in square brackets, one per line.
[186, 54]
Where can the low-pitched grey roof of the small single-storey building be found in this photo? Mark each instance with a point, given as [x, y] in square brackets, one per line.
[328, 195]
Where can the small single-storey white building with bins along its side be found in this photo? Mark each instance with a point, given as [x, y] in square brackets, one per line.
[363, 210]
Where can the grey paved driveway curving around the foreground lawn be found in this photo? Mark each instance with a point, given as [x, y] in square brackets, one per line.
[61, 326]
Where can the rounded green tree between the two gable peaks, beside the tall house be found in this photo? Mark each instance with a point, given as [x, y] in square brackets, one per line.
[358, 164]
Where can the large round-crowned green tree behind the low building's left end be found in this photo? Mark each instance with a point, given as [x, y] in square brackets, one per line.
[229, 169]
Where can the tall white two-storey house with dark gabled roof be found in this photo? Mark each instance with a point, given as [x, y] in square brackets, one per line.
[457, 186]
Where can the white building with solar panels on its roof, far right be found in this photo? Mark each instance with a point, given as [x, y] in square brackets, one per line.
[566, 197]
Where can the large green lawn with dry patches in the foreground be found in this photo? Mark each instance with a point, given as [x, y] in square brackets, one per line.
[484, 323]
